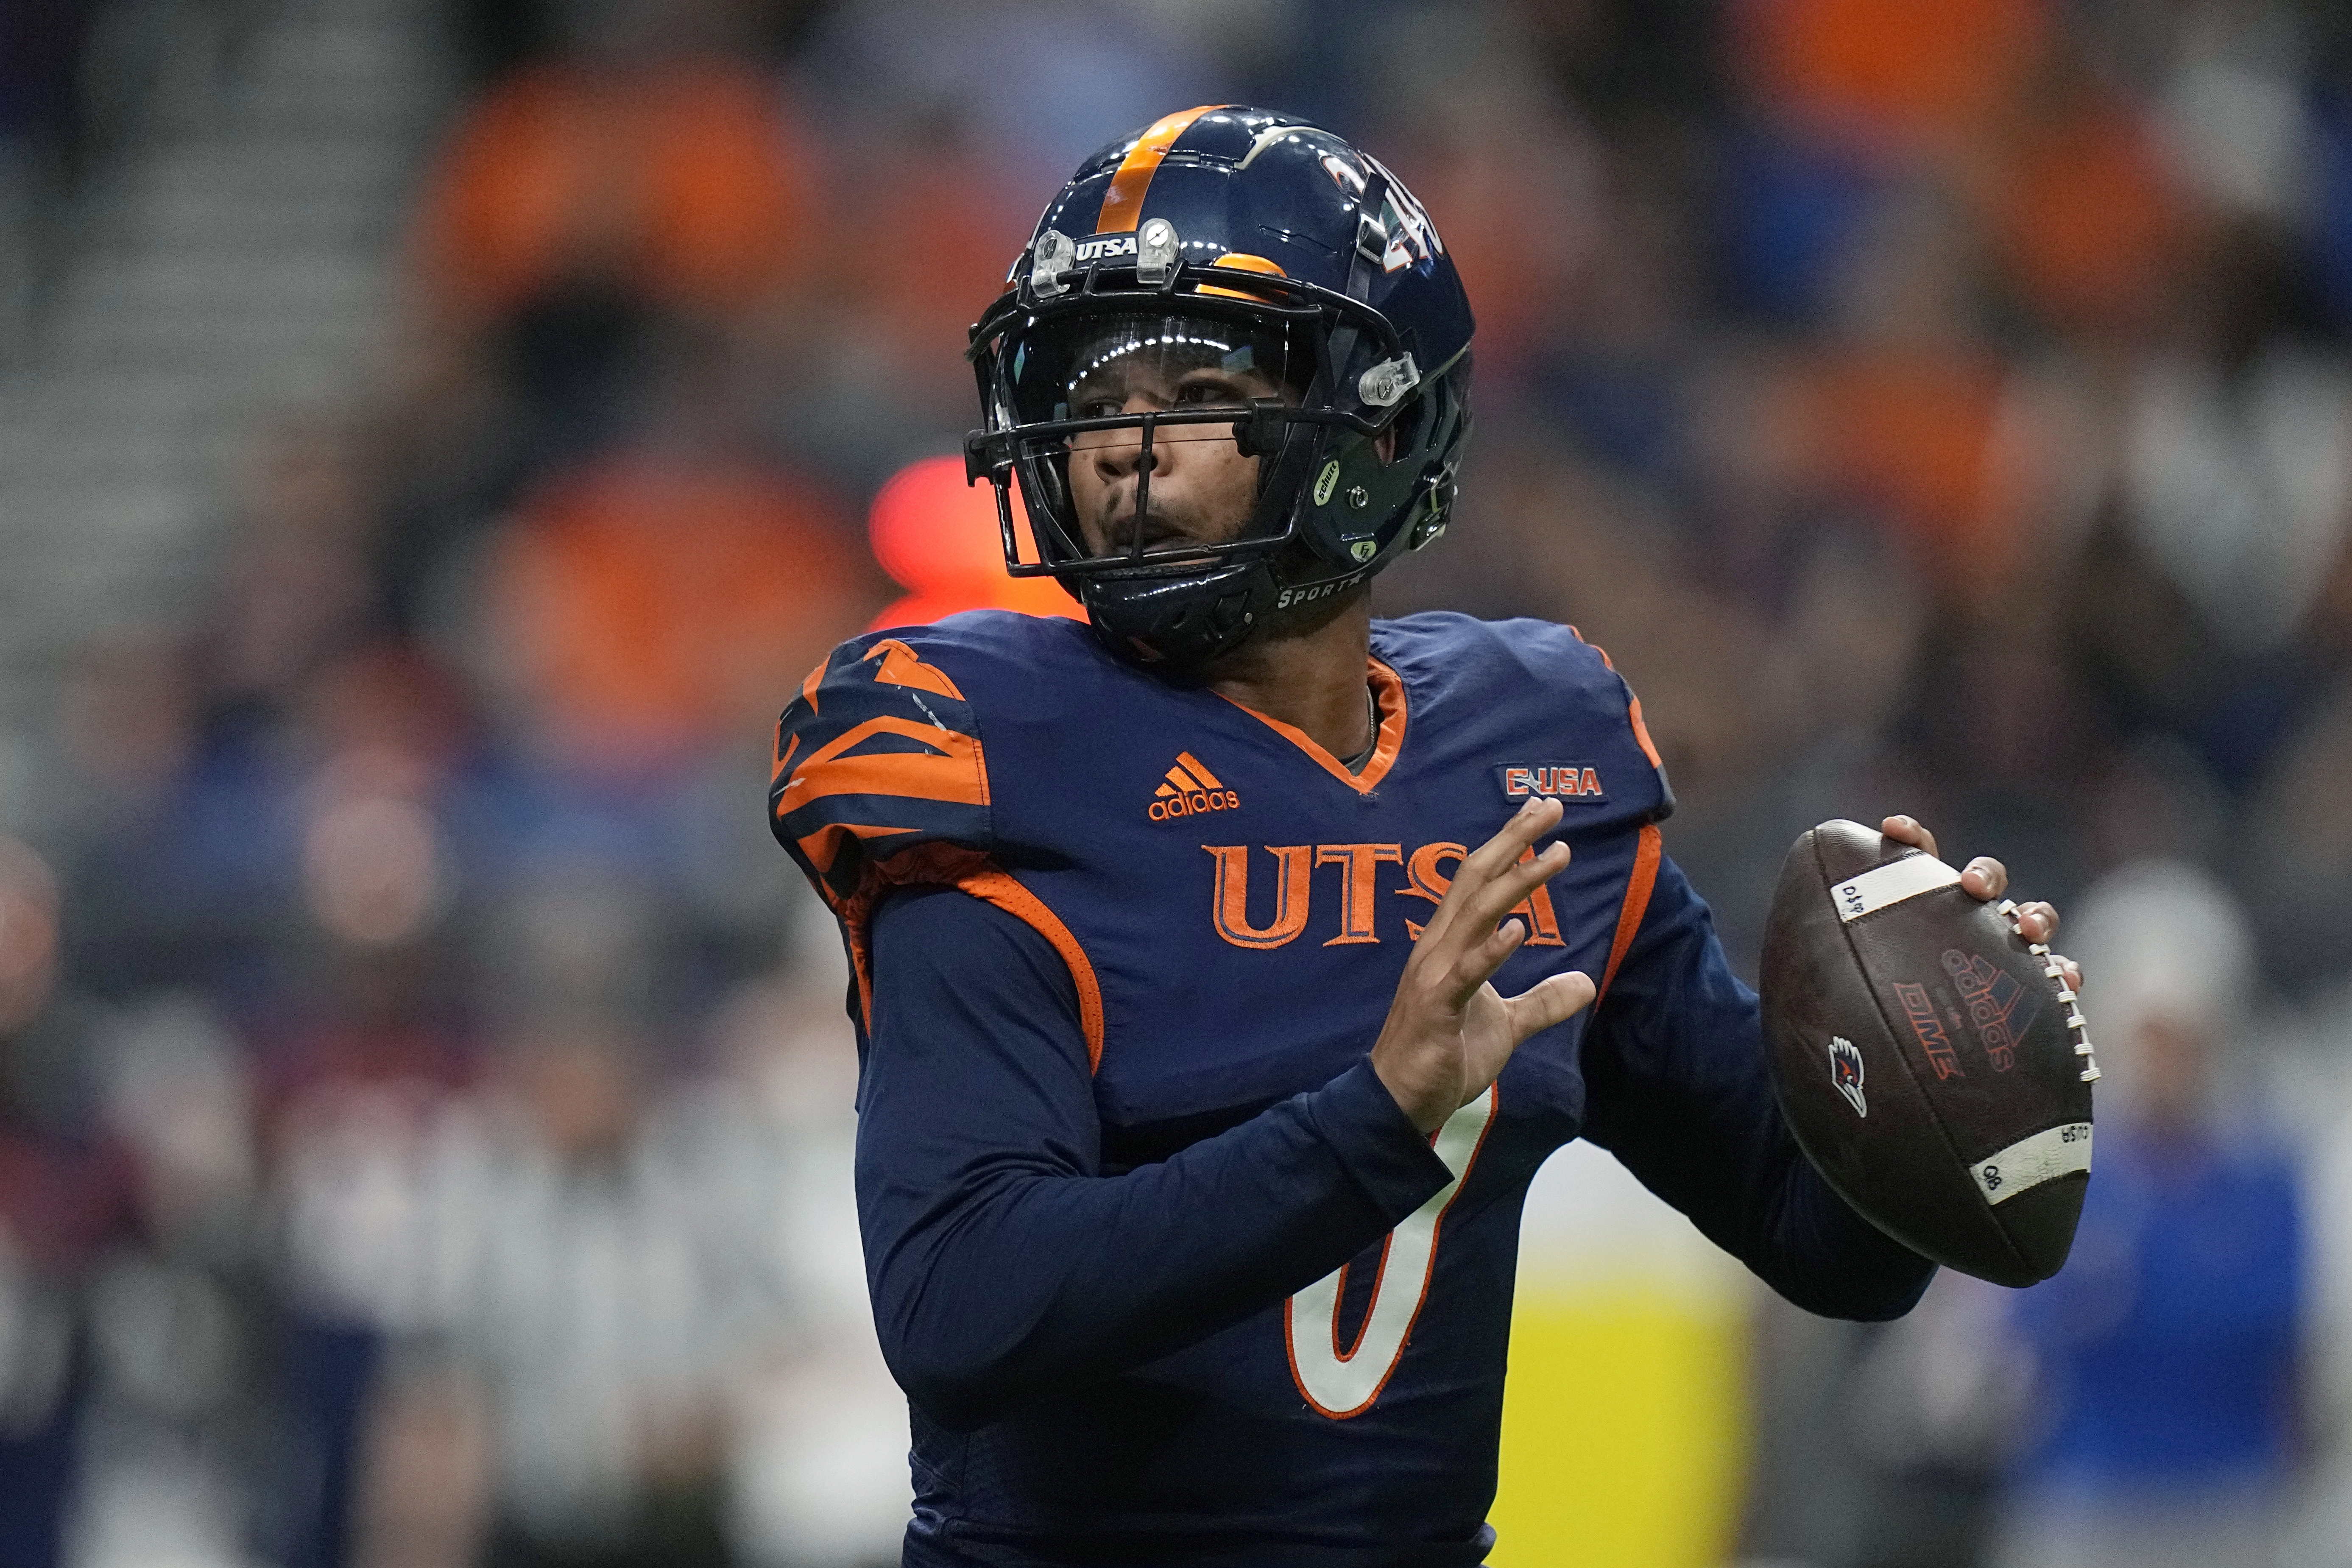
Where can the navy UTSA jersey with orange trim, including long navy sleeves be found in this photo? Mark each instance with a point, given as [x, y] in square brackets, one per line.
[1161, 1264]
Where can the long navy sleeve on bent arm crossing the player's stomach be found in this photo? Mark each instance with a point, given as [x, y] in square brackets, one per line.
[1003, 1264]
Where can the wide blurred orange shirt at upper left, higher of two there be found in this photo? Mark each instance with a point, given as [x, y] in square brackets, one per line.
[679, 180]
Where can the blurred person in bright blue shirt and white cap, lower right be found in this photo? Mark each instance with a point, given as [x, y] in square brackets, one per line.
[2167, 1351]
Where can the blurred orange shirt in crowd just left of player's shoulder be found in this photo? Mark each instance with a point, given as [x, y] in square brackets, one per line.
[643, 608]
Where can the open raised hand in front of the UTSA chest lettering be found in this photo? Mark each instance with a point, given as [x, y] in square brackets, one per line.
[1450, 1033]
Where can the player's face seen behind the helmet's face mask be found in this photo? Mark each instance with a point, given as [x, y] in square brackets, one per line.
[1203, 488]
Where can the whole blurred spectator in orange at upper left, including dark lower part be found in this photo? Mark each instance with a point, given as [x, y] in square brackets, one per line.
[634, 189]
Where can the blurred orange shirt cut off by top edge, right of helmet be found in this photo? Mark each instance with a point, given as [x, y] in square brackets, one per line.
[1911, 69]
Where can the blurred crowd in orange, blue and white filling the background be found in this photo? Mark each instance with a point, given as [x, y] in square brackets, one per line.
[425, 1092]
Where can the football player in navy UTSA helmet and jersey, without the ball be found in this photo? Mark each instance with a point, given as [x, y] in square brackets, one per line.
[1227, 970]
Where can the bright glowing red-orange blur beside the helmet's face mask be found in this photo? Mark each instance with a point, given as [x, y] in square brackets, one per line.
[937, 537]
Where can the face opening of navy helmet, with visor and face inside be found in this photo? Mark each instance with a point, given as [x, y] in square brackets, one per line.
[1123, 401]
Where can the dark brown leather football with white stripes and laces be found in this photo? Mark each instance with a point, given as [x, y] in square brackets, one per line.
[1932, 1064]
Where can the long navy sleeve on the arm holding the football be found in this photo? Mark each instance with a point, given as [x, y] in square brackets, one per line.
[1678, 1092]
